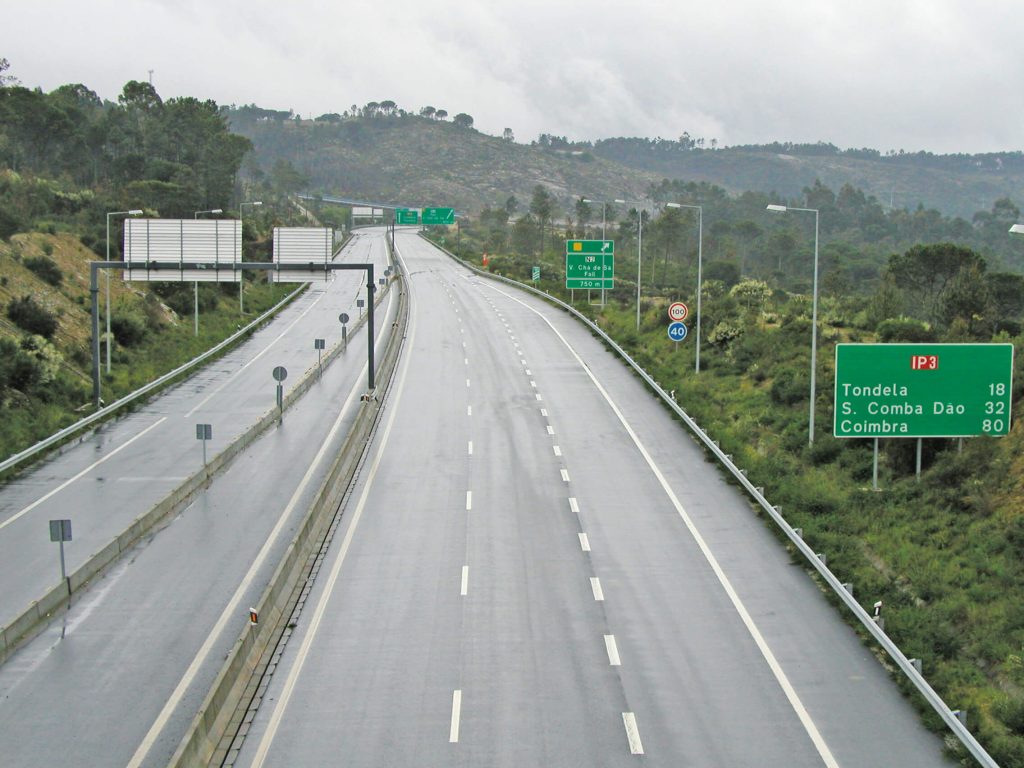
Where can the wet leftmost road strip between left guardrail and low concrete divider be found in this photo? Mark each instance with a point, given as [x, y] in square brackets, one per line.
[122, 470]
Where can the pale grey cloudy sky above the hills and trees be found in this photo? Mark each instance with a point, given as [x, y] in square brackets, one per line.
[938, 75]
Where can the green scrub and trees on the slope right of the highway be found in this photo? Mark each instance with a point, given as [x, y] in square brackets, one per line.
[945, 556]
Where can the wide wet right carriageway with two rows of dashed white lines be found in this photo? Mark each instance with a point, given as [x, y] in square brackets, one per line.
[539, 568]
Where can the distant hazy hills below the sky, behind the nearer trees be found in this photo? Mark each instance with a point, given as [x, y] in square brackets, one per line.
[409, 159]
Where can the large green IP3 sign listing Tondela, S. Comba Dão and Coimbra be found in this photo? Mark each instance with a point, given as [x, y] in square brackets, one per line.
[923, 391]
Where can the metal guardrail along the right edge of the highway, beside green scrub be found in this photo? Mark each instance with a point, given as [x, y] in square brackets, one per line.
[893, 651]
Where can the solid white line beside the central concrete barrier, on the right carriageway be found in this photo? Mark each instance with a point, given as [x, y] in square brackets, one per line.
[282, 704]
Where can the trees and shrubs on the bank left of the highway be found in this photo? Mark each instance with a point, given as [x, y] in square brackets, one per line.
[68, 159]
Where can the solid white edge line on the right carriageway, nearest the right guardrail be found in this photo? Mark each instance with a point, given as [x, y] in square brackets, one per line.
[766, 652]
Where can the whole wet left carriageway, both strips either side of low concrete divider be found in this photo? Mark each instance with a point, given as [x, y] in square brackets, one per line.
[117, 680]
